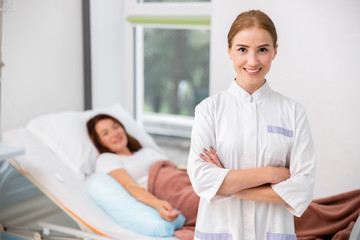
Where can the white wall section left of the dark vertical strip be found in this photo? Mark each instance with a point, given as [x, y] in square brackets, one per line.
[42, 52]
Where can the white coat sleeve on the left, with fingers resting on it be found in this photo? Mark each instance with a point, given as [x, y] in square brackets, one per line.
[206, 178]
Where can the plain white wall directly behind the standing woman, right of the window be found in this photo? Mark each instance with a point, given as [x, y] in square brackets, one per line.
[317, 65]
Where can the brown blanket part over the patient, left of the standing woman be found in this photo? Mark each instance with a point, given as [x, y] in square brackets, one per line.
[169, 183]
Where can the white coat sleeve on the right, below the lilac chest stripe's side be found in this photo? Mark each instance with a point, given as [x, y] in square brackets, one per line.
[297, 191]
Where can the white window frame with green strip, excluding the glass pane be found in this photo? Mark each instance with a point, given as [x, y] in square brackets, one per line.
[187, 15]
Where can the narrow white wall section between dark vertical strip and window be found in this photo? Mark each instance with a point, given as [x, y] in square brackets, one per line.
[107, 50]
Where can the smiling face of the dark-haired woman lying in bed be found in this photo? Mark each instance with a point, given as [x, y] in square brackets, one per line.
[112, 136]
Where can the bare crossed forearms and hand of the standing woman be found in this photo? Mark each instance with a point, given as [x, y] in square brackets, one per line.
[249, 184]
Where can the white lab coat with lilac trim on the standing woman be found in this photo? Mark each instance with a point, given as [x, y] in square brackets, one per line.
[249, 131]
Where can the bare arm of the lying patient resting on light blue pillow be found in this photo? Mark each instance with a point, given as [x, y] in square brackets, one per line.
[165, 209]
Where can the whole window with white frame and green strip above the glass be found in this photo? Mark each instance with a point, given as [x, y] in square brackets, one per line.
[171, 67]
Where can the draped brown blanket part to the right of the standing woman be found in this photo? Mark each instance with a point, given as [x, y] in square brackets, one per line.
[329, 218]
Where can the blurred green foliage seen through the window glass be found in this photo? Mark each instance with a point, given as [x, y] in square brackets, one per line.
[176, 70]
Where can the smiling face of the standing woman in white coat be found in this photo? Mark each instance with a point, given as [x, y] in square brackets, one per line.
[252, 51]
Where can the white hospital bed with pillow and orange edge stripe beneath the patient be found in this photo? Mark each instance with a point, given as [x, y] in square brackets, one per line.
[58, 158]
